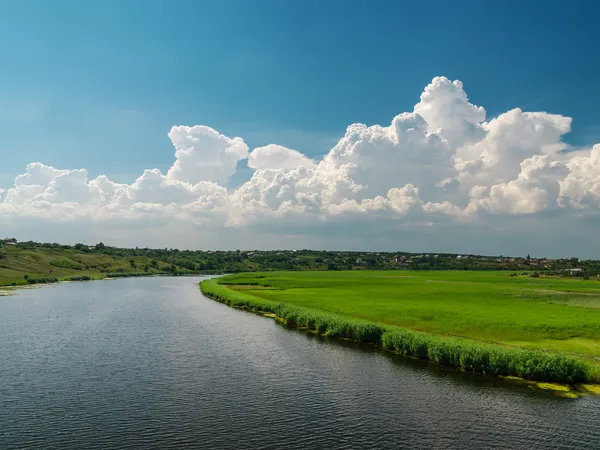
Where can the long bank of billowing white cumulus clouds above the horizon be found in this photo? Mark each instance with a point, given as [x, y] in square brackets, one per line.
[442, 176]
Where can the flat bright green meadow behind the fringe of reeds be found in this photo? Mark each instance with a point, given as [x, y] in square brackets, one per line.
[537, 313]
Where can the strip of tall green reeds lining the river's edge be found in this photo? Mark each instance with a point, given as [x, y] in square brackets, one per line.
[467, 355]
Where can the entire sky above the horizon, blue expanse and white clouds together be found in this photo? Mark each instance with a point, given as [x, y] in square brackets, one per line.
[99, 85]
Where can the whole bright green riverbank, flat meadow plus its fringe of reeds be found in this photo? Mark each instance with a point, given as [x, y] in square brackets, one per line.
[540, 329]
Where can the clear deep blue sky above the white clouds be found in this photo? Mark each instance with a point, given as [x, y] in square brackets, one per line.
[99, 84]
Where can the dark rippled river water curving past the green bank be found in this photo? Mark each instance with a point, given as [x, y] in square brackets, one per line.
[151, 364]
